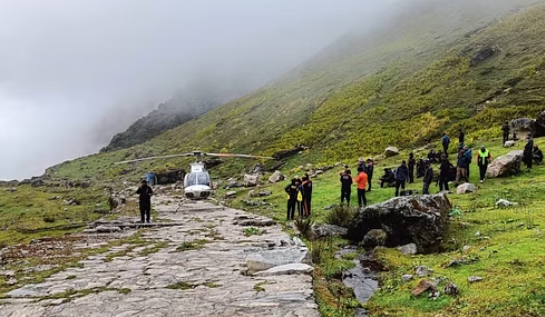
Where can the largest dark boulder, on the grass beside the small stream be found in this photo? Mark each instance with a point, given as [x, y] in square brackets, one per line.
[422, 220]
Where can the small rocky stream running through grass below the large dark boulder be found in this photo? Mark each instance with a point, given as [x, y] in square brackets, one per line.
[363, 278]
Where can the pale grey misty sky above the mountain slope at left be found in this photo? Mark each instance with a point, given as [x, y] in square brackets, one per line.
[74, 72]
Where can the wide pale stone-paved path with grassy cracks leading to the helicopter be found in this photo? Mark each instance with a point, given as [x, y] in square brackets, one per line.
[210, 281]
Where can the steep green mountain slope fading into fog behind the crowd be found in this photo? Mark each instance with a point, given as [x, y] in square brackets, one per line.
[398, 86]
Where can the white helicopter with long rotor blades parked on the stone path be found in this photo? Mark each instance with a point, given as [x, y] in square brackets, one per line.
[197, 183]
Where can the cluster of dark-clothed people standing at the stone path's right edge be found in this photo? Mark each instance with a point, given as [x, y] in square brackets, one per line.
[299, 197]
